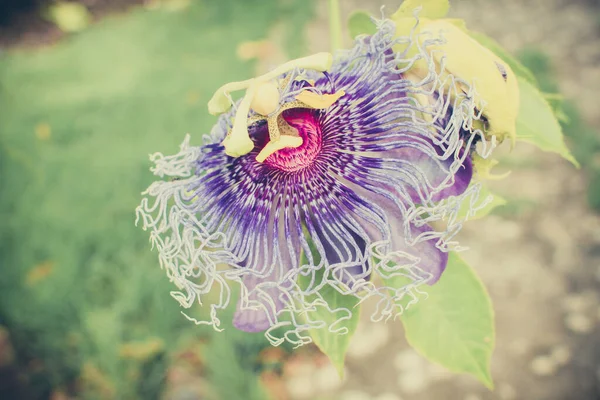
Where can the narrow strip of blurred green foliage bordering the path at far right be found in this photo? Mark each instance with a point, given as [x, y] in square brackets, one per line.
[585, 140]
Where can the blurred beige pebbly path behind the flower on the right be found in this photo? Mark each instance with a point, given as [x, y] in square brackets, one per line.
[540, 258]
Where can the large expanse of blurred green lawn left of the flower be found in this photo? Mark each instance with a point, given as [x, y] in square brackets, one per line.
[84, 300]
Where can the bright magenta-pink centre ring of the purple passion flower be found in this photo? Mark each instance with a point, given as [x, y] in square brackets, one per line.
[291, 159]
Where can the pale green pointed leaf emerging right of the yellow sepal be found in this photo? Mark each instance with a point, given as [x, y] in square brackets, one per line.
[537, 124]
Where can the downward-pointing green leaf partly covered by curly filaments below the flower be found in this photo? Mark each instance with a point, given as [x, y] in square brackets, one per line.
[333, 344]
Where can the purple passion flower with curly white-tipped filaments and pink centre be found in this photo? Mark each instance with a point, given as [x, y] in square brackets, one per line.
[352, 203]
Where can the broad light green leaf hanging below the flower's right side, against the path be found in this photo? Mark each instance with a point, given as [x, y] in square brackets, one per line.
[454, 324]
